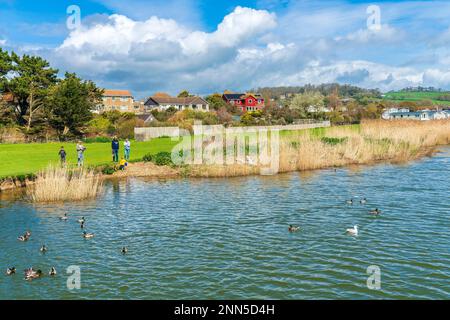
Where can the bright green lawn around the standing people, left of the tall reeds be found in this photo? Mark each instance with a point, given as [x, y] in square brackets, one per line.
[19, 159]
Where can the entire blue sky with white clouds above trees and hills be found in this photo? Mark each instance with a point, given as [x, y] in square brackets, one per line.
[209, 46]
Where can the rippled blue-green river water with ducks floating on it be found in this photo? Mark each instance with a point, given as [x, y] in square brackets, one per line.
[228, 238]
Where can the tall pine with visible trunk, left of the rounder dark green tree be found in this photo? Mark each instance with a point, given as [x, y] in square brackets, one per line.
[31, 79]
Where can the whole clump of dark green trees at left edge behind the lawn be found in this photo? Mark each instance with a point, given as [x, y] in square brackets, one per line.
[38, 102]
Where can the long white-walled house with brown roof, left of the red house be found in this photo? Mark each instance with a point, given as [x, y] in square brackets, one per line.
[164, 101]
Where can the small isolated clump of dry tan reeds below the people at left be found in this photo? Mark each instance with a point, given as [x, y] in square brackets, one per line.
[62, 184]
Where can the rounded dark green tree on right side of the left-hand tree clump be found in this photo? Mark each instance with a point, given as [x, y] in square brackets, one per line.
[70, 103]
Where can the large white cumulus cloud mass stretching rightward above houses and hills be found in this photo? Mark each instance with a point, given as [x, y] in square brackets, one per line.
[248, 49]
